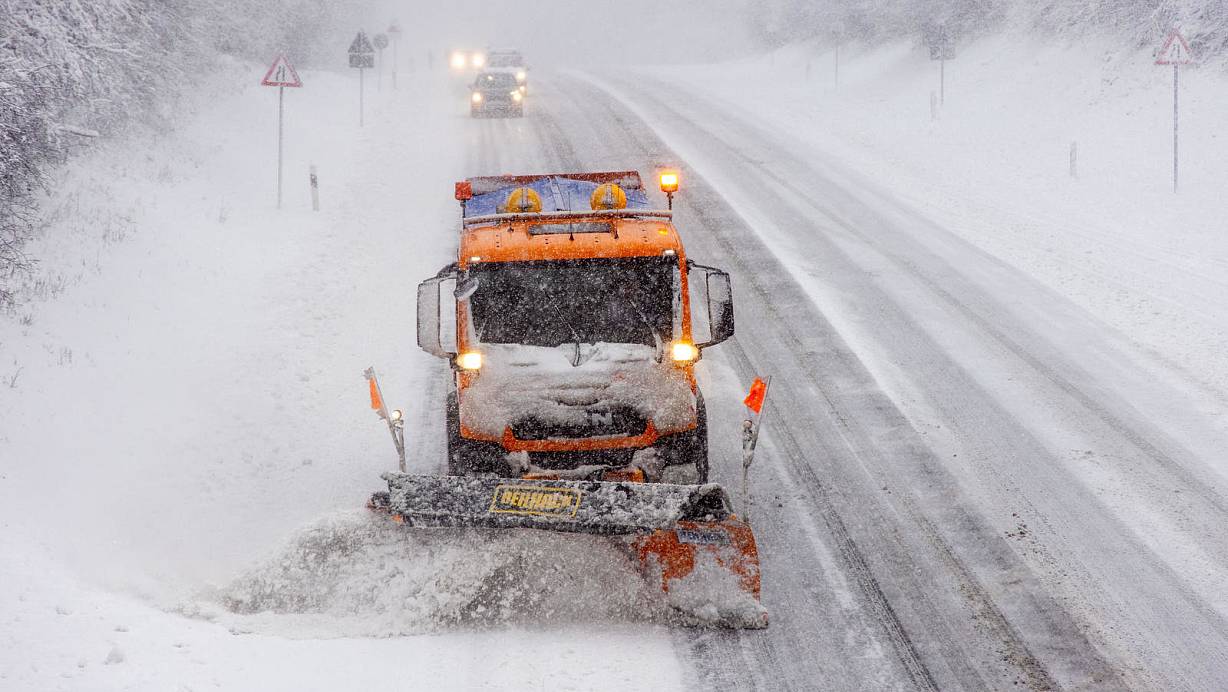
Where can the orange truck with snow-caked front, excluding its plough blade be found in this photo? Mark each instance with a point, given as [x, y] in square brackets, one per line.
[573, 321]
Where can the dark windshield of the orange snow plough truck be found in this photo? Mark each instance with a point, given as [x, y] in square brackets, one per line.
[548, 304]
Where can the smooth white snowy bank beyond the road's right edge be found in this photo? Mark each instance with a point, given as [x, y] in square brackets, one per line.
[994, 165]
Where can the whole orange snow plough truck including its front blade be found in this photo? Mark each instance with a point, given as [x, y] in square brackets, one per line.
[573, 322]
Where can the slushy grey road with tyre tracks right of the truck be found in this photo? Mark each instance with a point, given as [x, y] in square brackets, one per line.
[1015, 493]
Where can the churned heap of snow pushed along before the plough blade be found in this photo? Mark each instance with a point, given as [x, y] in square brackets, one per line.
[358, 575]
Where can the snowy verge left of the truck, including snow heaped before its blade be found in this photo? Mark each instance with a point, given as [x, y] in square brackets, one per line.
[185, 436]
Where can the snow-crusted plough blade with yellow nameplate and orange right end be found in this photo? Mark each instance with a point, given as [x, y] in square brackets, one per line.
[685, 538]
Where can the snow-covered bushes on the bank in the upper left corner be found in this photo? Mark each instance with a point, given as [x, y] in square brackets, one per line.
[74, 71]
